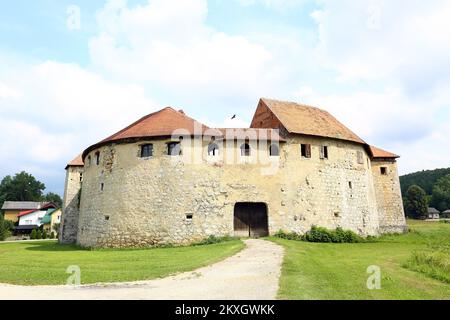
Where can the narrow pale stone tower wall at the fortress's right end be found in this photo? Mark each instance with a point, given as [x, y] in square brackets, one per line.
[388, 195]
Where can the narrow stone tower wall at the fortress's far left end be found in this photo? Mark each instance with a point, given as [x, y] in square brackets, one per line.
[70, 213]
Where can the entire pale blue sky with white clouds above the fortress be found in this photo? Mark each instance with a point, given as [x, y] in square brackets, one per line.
[381, 67]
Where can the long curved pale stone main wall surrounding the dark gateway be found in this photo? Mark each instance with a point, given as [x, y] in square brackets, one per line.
[130, 201]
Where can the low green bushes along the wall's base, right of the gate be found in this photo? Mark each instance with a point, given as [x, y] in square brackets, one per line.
[323, 235]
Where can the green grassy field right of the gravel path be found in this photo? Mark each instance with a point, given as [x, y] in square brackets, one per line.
[339, 271]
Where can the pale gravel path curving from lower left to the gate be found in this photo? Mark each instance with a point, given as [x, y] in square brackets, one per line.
[252, 274]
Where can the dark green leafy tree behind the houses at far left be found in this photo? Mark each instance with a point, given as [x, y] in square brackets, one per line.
[22, 187]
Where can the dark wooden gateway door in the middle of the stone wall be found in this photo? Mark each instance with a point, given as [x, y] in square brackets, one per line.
[251, 219]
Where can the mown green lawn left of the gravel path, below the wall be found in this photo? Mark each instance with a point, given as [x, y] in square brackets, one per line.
[45, 262]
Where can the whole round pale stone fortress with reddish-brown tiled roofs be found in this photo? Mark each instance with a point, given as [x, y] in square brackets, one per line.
[168, 179]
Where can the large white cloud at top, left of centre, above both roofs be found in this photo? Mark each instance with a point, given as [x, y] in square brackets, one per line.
[171, 47]
